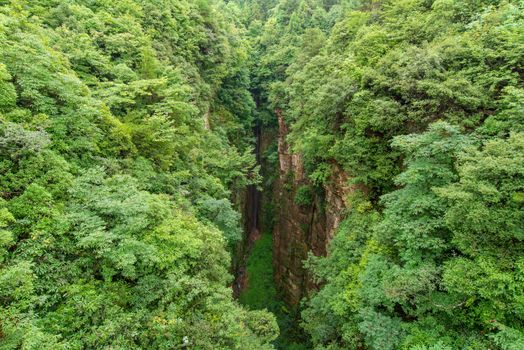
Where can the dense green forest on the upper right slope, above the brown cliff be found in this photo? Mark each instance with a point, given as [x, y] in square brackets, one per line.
[392, 68]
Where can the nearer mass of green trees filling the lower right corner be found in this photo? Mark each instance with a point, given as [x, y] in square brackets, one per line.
[443, 263]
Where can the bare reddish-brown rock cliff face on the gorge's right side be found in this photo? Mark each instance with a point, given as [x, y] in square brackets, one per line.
[300, 229]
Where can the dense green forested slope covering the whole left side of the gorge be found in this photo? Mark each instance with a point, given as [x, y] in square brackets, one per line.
[124, 130]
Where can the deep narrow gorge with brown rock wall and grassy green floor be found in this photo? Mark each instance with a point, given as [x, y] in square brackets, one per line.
[285, 220]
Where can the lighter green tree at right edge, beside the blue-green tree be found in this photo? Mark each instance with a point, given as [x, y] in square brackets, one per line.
[486, 219]
